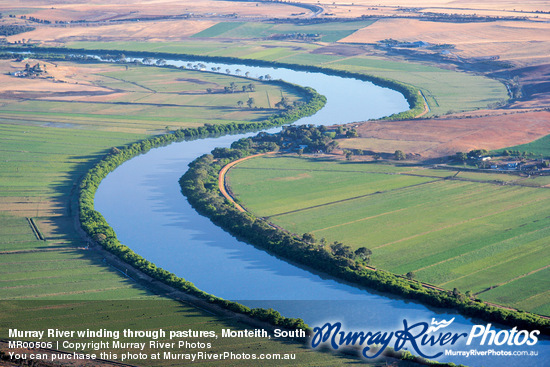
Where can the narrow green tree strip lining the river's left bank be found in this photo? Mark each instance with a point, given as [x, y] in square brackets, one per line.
[97, 228]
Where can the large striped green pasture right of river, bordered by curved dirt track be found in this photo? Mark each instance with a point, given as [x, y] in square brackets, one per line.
[462, 230]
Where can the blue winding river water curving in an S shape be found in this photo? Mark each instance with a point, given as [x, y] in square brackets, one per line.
[142, 201]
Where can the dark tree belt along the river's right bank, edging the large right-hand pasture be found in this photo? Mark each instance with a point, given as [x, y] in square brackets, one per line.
[200, 185]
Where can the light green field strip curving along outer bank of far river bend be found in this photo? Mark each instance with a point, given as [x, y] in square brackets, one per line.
[445, 90]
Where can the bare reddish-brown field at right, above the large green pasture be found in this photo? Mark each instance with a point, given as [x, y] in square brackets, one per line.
[441, 137]
